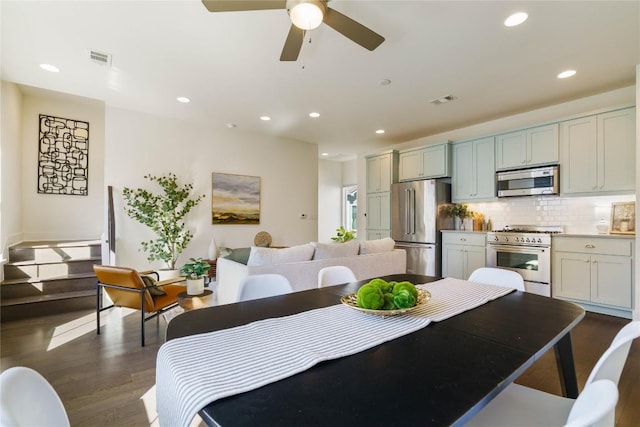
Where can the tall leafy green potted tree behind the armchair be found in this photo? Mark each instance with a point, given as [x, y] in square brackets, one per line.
[163, 214]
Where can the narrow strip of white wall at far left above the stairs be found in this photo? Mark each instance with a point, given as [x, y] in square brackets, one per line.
[10, 175]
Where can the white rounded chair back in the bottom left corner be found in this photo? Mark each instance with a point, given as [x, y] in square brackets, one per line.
[27, 399]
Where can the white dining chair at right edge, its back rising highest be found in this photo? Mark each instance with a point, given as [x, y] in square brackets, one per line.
[609, 367]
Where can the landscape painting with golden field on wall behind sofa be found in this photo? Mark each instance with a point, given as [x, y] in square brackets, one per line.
[235, 199]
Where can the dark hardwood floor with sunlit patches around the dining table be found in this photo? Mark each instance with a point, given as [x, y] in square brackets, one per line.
[108, 379]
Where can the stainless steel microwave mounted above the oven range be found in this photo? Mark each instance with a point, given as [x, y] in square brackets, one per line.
[528, 182]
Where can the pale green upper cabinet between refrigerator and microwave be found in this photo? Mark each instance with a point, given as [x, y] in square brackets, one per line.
[474, 170]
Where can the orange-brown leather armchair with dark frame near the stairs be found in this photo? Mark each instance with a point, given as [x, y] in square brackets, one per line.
[126, 288]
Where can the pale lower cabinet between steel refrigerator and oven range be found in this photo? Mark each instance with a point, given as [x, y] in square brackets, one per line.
[462, 253]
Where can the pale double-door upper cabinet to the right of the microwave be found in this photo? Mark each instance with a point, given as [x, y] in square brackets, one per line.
[598, 153]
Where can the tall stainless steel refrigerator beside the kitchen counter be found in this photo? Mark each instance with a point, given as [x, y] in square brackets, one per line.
[416, 222]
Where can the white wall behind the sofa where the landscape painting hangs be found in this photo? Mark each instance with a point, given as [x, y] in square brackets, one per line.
[139, 144]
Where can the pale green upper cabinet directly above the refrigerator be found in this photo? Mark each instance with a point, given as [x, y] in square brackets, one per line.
[429, 162]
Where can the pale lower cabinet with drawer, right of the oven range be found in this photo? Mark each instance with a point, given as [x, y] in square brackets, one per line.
[596, 272]
